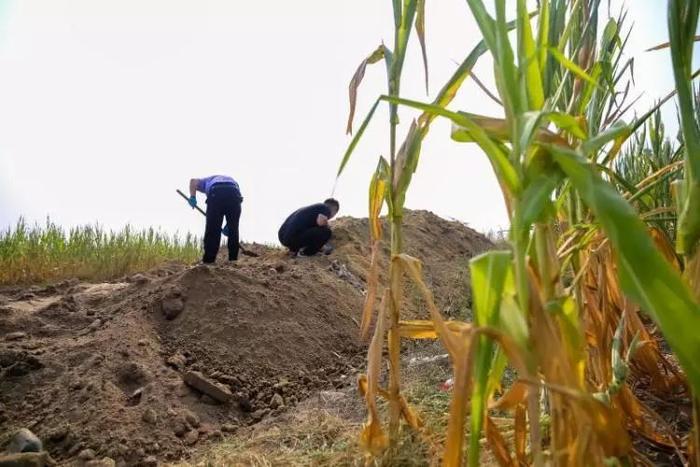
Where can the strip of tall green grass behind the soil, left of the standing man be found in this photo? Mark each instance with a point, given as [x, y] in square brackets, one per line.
[42, 253]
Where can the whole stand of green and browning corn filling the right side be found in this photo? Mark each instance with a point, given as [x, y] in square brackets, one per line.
[603, 241]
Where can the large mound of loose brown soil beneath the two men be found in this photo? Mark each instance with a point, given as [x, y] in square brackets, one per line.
[102, 367]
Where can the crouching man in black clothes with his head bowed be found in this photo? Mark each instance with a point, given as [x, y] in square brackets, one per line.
[306, 230]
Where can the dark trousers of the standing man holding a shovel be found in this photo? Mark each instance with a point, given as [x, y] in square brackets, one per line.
[223, 201]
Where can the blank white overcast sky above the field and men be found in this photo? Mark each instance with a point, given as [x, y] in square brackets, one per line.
[106, 107]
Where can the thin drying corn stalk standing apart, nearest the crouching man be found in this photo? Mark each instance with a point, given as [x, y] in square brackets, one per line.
[388, 186]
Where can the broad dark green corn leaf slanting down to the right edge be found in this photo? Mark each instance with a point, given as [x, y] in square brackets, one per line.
[645, 275]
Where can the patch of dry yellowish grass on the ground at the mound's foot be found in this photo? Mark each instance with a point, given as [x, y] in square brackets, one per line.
[325, 433]
